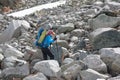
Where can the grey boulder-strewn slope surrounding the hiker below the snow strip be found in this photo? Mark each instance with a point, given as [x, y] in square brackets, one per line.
[87, 31]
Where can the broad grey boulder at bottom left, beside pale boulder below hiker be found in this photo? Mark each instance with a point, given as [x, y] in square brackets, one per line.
[18, 71]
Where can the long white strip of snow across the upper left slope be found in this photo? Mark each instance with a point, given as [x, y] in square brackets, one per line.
[36, 8]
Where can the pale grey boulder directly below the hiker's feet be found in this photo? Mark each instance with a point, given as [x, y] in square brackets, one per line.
[49, 68]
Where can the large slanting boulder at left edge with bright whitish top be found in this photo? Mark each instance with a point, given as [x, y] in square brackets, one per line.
[13, 30]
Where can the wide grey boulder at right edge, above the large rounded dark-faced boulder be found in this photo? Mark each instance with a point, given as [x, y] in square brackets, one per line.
[103, 21]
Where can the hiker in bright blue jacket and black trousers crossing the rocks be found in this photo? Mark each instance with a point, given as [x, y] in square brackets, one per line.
[44, 45]
